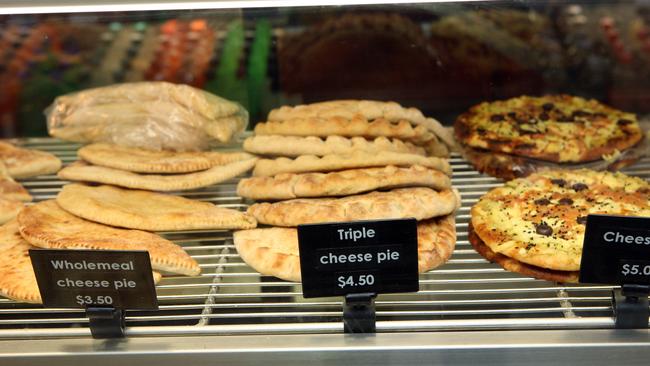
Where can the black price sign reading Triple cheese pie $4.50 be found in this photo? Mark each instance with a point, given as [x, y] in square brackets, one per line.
[357, 257]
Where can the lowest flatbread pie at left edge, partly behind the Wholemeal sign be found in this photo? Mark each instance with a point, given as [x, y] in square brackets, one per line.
[17, 279]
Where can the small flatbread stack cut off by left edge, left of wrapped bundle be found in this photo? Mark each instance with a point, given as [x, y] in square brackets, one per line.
[20, 163]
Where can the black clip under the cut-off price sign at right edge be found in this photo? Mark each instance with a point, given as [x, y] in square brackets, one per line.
[630, 304]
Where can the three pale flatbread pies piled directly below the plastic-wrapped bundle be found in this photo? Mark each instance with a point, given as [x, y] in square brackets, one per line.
[128, 200]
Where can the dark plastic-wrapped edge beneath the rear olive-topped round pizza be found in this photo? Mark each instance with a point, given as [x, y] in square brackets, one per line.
[507, 167]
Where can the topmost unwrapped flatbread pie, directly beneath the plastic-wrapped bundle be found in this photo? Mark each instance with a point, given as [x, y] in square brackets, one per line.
[148, 161]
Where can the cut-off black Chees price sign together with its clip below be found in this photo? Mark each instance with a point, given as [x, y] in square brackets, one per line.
[612, 242]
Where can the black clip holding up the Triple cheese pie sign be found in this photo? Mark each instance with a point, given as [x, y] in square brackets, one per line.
[359, 313]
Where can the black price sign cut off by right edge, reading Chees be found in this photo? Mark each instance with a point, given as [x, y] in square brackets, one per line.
[616, 250]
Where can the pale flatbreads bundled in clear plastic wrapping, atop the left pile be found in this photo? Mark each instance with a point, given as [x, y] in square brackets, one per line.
[149, 115]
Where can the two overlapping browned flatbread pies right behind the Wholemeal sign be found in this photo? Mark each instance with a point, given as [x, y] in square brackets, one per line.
[47, 225]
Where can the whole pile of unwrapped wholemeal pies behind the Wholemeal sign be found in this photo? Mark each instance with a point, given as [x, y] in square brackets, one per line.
[108, 217]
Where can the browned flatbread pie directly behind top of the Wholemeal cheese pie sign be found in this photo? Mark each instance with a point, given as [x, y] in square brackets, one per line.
[47, 225]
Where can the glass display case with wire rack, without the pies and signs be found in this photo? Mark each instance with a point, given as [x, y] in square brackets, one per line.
[440, 57]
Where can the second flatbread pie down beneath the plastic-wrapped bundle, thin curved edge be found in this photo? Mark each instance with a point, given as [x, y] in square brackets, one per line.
[82, 171]
